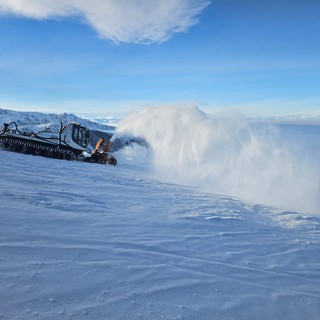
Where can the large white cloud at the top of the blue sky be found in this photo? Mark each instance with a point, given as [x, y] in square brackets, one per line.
[133, 21]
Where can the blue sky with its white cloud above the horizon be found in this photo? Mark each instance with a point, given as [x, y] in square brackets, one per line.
[103, 57]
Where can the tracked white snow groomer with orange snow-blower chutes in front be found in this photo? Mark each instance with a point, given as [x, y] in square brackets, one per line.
[68, 143]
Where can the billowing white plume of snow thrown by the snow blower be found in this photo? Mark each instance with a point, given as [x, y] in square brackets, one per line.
[227, 155]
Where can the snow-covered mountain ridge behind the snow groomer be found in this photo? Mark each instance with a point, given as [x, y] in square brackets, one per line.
[37, 121]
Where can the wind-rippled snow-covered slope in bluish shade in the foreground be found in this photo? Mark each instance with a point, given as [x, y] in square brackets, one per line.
[88, 241]
